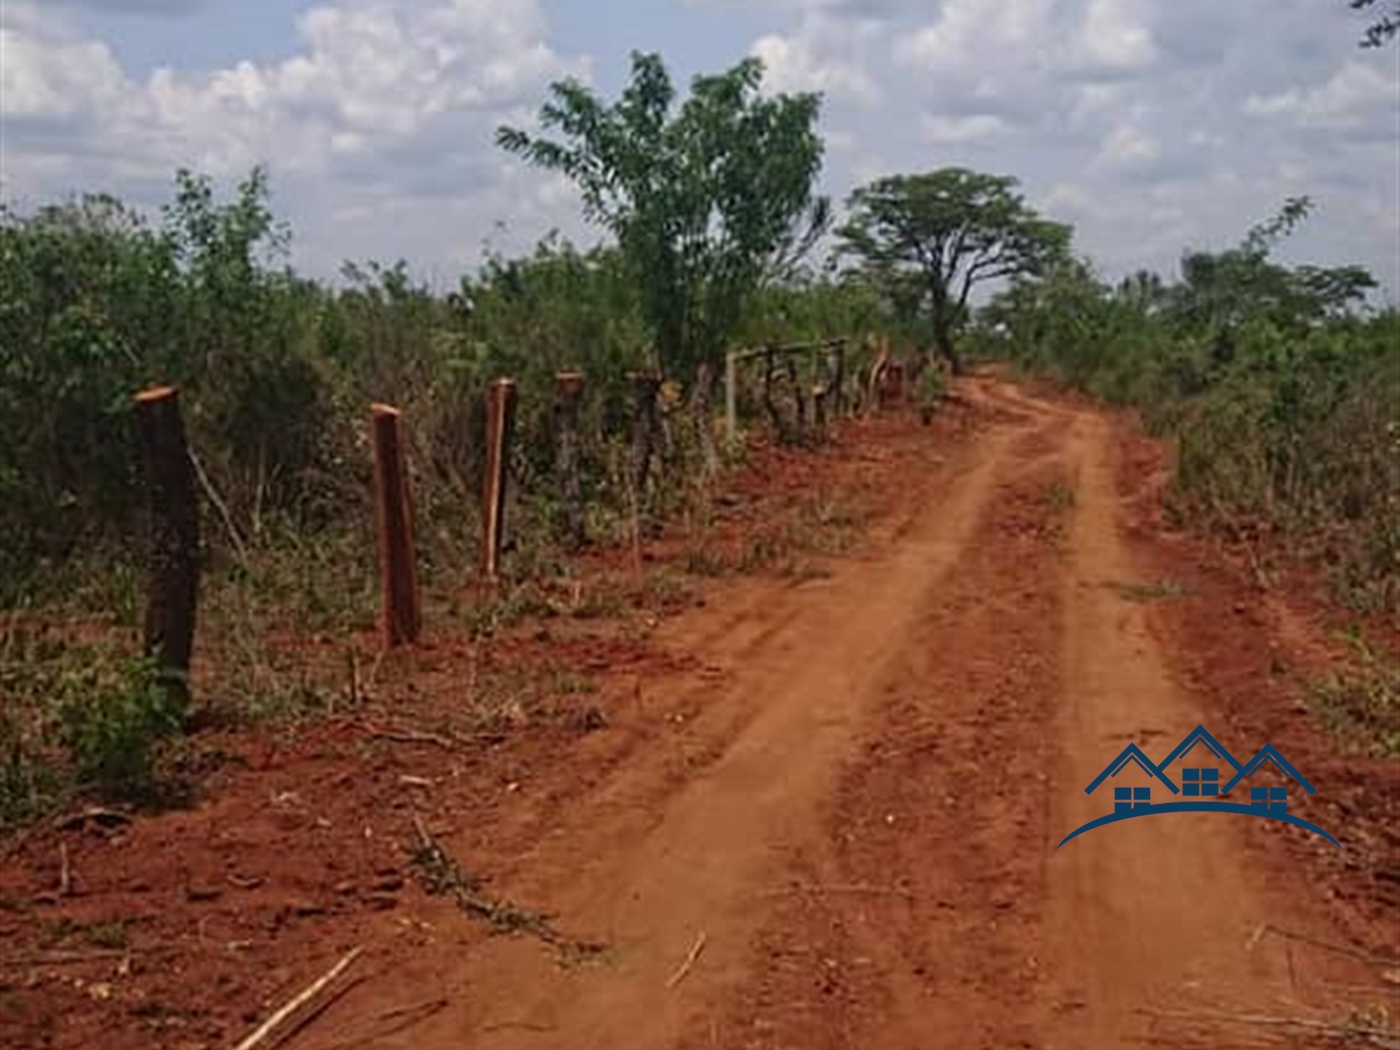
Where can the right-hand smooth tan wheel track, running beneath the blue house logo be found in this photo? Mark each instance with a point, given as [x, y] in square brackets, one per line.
[1156, 916]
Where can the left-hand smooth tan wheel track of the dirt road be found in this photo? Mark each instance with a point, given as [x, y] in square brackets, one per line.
[660, 853]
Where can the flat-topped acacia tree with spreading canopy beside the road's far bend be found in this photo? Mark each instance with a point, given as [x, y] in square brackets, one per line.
[943, 234]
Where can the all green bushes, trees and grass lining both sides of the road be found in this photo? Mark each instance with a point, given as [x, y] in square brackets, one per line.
[1280, 390]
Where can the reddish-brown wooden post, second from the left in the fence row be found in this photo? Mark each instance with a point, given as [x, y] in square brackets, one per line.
[402, 619]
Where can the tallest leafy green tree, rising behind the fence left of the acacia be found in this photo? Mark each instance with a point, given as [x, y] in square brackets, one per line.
[705, 199]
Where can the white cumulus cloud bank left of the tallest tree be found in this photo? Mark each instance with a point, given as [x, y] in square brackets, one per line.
[386, 113]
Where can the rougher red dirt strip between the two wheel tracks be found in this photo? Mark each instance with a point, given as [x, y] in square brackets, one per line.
[915, 923]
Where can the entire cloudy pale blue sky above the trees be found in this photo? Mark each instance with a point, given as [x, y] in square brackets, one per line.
[1151, 125]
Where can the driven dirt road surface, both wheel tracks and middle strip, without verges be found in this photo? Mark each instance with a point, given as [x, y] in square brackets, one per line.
[848, 835]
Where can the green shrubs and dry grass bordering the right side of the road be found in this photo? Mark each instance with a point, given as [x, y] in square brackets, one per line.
[1283, 395]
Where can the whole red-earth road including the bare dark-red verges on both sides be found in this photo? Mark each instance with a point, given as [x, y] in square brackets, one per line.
[825, 810]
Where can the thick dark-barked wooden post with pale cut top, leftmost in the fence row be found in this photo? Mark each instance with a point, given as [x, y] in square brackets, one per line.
[173, 594]
